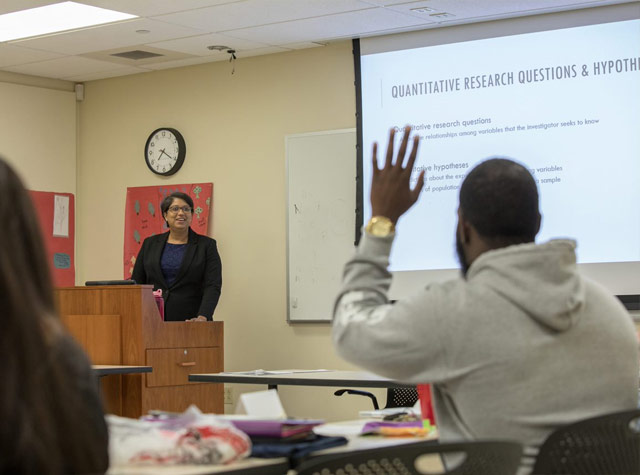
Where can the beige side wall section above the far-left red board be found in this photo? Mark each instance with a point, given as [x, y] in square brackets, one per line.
[38, 135]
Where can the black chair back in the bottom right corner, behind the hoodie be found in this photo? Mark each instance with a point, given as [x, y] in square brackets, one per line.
[601, 445]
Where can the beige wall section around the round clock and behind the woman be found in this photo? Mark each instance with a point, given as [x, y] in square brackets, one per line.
[234, 126]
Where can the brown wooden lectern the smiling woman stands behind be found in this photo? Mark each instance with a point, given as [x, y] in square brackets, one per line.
[120, 324]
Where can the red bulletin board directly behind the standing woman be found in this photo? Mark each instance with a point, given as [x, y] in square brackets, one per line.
[143, 218]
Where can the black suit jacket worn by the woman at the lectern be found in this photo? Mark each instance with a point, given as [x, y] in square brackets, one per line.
[196, 289]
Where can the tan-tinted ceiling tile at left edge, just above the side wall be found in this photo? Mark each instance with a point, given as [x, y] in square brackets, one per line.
[67, 66]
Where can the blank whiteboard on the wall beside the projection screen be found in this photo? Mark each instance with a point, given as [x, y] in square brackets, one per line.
[321, 204]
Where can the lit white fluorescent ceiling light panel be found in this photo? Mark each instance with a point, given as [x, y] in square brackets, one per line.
[54, 18]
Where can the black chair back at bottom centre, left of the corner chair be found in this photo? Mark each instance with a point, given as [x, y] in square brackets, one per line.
[479, 458]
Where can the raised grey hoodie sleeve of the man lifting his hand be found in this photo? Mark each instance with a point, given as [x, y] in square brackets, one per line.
[394, 340]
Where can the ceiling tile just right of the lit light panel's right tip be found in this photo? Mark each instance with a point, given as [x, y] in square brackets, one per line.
[256, 12]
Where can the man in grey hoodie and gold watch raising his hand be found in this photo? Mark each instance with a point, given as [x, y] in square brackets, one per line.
[518, 346]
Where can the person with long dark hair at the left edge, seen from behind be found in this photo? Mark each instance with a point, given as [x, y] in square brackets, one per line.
[51, 412]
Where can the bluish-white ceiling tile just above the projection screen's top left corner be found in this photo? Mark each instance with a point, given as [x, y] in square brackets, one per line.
[344, 25]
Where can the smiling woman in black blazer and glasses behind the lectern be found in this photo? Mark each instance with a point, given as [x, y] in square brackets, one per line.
[184, 264]
